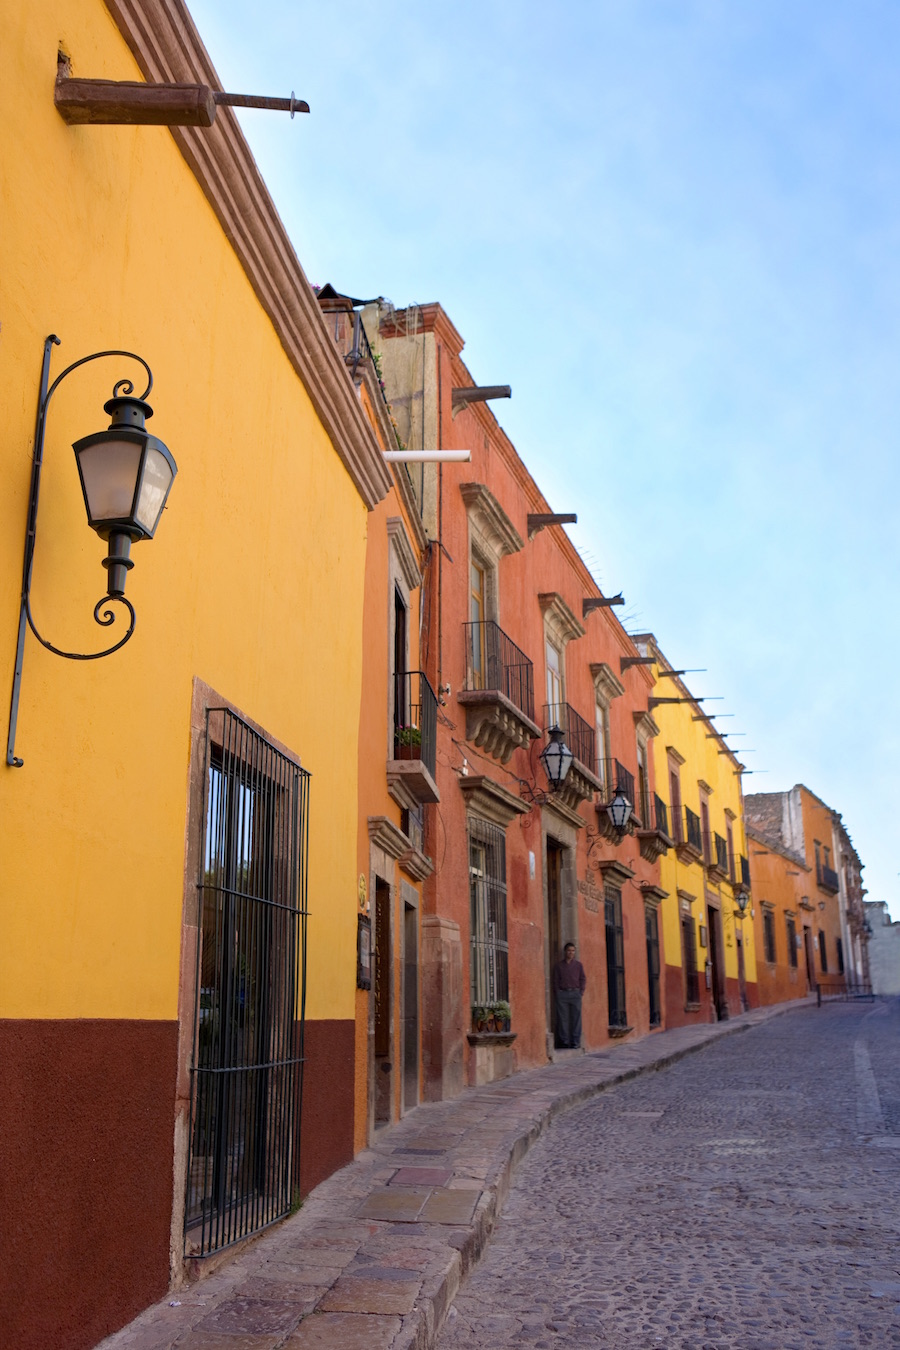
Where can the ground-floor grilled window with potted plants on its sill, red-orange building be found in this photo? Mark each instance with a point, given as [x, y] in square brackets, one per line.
[488, 892]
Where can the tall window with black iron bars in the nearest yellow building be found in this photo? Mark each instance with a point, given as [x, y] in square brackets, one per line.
[252, 967]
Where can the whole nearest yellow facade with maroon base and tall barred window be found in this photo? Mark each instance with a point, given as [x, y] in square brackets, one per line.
[176, 842]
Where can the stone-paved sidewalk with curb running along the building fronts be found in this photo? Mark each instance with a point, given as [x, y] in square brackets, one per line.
[377, 1253]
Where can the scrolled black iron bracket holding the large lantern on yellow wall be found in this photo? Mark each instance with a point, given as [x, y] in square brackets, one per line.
[118, 564]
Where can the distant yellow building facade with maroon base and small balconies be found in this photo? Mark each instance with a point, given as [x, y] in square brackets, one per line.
[708, 931]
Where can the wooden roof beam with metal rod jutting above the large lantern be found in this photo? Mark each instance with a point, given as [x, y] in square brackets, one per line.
[117, 103]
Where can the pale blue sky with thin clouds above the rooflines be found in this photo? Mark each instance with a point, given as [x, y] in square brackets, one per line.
[674, 229]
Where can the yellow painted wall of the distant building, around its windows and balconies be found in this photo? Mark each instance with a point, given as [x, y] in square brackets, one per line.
[704, 763]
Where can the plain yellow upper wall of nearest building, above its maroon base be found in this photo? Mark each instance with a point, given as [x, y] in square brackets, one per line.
[254, 583]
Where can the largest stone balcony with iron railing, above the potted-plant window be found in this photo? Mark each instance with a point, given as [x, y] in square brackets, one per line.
[499, 695]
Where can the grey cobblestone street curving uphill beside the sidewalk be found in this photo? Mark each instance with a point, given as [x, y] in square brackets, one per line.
[747, 1197]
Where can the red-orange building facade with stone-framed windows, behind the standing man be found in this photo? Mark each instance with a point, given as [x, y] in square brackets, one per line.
[517, 639]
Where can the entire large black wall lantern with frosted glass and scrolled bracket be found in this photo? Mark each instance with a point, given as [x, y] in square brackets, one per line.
[126, 477]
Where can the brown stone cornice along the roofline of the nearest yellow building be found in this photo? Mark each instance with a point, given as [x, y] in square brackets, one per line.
[168, 49]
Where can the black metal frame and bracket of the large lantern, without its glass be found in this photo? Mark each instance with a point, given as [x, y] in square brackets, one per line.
[129, 414]
